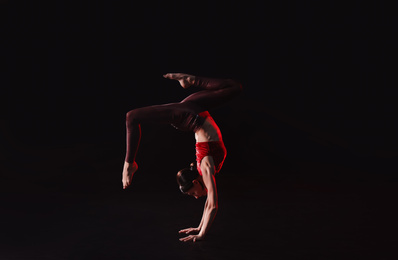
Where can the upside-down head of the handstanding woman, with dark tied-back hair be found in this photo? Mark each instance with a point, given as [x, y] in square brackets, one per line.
[191, 182]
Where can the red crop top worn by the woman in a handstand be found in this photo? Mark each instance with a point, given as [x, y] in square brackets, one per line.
[215, 149]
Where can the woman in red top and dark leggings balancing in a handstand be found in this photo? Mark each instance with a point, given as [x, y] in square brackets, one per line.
[190, 114]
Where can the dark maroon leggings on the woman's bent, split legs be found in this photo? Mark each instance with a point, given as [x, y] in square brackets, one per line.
[183, 115]
